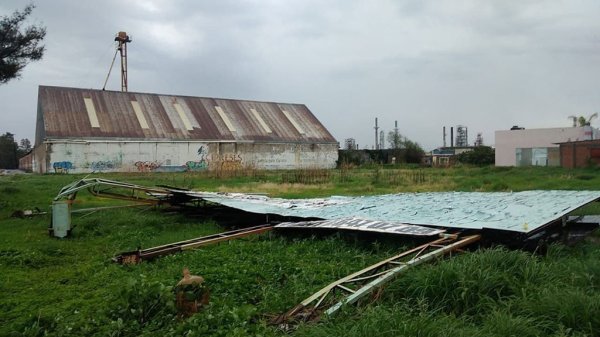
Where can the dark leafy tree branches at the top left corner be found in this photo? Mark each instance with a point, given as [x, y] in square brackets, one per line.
[18, 46]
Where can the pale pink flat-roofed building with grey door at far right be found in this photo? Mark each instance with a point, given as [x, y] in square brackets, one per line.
[526, 147]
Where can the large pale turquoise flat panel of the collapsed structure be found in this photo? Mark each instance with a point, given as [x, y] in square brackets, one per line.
[521, 212]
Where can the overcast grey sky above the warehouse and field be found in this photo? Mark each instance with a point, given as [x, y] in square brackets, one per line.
[487, 65]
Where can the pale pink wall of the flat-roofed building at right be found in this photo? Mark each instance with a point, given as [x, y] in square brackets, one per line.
[507, 141]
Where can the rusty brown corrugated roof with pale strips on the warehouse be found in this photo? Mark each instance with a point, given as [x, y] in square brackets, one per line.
[87, 113]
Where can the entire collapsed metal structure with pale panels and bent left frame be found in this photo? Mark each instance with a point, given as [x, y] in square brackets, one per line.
[403, 213]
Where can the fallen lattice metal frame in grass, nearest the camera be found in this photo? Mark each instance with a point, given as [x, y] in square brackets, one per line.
[364, 282]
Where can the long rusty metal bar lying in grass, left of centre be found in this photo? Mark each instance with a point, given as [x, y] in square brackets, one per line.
[137, 256]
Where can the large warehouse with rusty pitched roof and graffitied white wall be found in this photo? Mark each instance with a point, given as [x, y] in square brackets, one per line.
[86, 130]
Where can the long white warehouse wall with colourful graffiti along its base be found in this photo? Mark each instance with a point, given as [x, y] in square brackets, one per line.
[98, 156]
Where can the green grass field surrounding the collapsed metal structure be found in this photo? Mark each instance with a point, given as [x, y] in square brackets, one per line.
[70, 287]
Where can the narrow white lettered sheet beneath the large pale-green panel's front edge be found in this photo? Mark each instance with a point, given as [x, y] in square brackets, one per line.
[364, 225]
